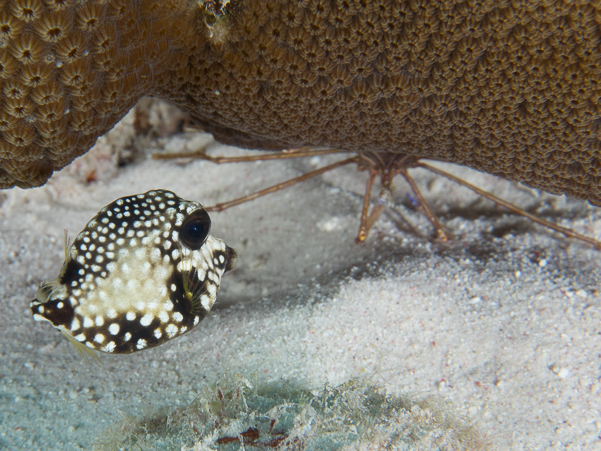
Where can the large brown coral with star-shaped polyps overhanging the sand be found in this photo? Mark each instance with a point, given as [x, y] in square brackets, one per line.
[506, 87]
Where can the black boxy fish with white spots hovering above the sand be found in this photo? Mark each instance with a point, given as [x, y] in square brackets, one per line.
[143, 271]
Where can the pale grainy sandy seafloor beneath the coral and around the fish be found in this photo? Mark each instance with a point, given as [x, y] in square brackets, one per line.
[503, 324]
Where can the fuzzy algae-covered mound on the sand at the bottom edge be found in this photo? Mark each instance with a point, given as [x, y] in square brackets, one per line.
[235, 414]
